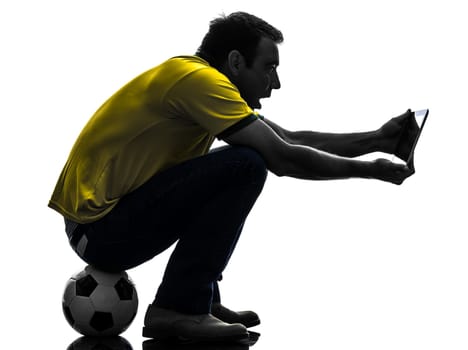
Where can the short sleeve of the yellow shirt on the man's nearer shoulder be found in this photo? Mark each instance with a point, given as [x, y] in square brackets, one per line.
[207, 98]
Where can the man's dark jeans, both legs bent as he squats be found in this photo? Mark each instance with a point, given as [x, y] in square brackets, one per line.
[201, 203]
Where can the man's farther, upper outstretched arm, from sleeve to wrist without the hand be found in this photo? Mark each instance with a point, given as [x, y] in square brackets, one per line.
[346, 145]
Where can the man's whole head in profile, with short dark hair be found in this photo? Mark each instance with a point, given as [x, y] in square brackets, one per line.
[244, 48]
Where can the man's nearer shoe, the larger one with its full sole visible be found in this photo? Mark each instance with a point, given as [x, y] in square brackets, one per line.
[163, 323]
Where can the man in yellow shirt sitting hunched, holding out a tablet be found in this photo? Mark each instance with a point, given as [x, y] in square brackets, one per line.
[140, 176]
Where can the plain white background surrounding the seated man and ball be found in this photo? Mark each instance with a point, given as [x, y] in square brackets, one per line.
[355, 264]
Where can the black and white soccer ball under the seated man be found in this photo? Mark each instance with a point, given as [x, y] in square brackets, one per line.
[98, 303]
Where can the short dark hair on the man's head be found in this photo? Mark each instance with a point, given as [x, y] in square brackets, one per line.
[238, 31]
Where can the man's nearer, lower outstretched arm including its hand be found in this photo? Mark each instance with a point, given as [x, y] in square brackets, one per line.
[304, 162]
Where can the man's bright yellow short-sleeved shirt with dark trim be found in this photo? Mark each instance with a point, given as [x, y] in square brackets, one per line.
[163, 117]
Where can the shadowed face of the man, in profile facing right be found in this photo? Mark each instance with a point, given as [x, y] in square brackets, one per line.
[257, 81]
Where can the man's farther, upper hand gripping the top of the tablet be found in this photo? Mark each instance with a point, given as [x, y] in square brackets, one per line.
[398, 135]
